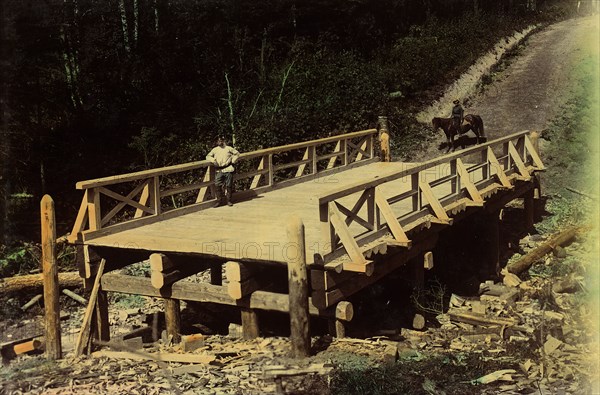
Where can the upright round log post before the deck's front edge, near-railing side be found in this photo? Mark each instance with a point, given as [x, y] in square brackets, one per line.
[298, 288]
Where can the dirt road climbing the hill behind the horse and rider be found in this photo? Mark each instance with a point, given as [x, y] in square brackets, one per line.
[529, 92]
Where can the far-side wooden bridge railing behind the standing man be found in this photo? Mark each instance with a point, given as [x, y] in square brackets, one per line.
[129, 200]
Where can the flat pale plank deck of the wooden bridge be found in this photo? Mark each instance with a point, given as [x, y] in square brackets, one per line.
[254, 229]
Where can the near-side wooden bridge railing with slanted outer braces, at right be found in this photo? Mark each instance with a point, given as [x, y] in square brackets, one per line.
[356, 215]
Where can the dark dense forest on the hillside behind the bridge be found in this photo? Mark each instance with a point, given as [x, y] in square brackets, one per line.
[92, 88]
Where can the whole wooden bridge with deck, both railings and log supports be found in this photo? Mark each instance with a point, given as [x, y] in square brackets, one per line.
[363, 218]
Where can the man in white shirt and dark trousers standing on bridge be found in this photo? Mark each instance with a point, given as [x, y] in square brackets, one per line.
[223, 157]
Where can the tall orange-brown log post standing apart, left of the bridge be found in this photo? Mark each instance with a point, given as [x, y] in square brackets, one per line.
[50, 276]
